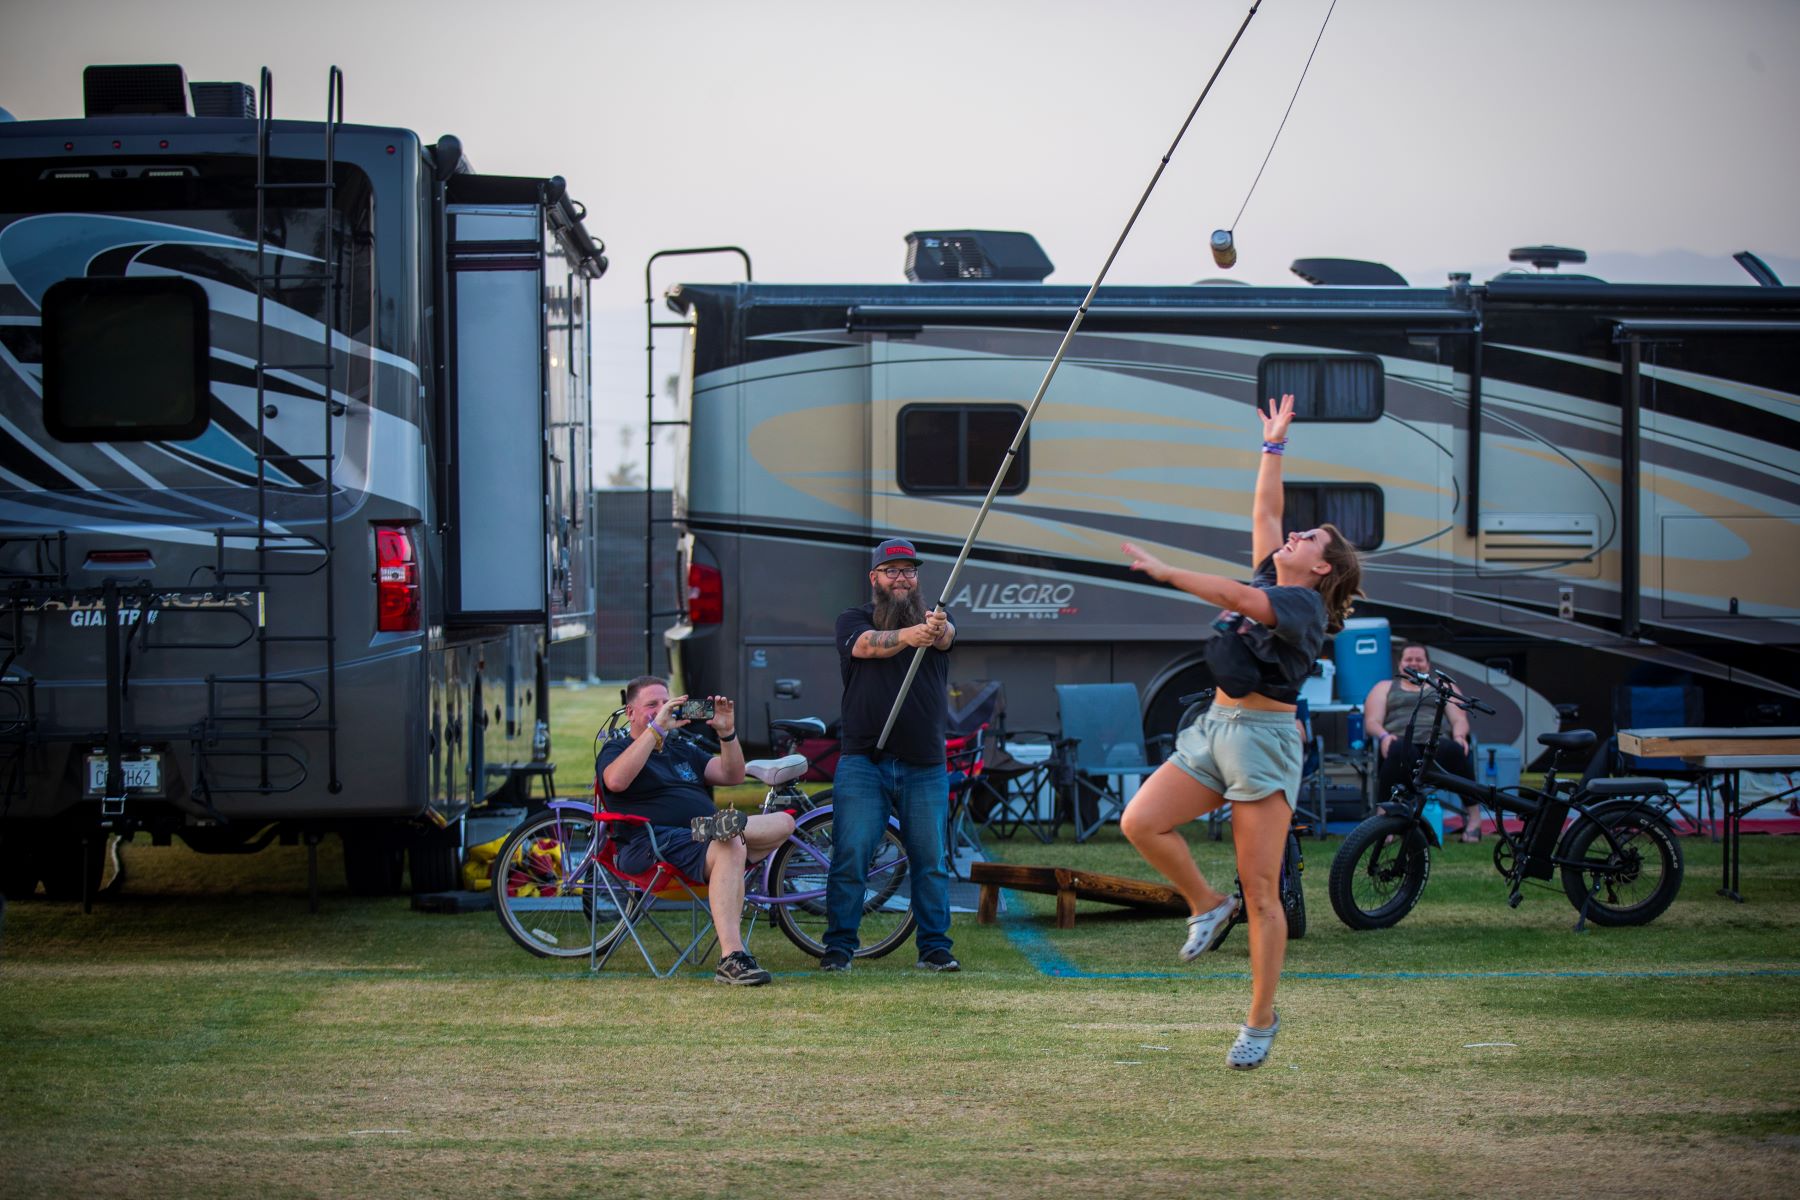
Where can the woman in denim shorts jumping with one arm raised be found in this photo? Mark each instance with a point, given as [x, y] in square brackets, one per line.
[1246, 749]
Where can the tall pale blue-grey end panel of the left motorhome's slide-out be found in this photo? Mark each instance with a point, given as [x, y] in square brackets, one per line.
[498, 548]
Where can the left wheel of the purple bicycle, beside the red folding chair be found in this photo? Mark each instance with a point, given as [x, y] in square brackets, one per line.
[544, 888]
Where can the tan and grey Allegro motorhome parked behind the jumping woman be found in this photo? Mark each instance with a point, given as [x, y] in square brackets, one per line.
[1561, 485]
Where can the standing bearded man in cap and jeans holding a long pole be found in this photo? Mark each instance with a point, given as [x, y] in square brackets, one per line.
[908, 778]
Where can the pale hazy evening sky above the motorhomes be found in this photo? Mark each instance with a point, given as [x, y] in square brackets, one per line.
[1432, 136]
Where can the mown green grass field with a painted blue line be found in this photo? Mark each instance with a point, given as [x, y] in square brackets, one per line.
[202, 1035]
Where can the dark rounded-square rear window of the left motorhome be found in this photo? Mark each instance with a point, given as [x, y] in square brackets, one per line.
[125, 359]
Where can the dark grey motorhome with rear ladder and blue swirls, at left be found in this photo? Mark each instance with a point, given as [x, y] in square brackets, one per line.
[292, 472]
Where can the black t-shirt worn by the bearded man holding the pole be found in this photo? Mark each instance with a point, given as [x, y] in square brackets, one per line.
[870, 690]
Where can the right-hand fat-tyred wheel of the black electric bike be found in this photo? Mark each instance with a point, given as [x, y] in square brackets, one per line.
[1630, 884]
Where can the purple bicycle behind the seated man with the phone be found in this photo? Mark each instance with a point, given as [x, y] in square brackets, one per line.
[553, 902]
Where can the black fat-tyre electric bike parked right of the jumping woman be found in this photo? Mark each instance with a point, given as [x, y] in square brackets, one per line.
[1619, 859]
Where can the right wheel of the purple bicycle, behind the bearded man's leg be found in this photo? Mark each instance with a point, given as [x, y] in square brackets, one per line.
[798, 879]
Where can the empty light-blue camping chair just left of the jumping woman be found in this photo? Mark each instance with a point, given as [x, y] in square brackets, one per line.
[1102, 746]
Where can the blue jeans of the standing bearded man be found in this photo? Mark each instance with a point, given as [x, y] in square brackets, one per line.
[863, 796]
